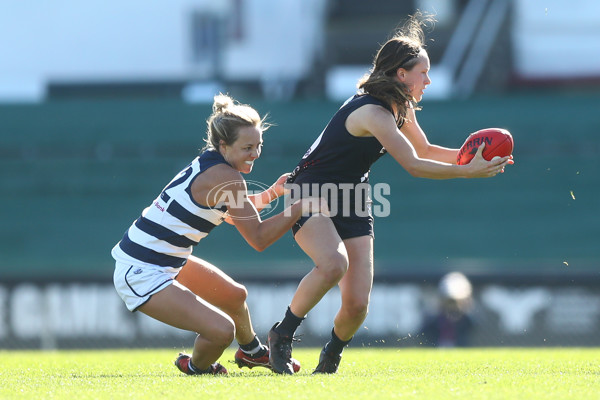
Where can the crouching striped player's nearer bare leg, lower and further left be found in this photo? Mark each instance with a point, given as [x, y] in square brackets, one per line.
[179, 307]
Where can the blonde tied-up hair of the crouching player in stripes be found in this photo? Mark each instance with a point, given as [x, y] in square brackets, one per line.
[227, 117]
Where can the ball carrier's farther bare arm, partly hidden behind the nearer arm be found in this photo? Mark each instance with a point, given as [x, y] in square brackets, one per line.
[417, 137]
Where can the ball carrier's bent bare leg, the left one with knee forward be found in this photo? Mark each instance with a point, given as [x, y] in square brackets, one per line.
[320, 241]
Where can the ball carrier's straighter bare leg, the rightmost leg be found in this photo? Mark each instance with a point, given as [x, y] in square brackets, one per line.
[355, 287]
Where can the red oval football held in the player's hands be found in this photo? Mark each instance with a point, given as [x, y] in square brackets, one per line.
[498, 143]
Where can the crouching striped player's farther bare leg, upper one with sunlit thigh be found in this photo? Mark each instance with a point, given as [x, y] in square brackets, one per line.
[220, 290]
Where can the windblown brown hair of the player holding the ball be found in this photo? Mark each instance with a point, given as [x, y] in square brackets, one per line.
[400, 51]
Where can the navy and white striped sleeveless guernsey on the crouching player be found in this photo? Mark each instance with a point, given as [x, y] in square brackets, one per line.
[174, 223]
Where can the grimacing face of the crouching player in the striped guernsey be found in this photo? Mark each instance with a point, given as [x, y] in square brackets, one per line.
[247, 147]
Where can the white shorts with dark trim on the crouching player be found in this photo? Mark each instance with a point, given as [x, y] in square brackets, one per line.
[137, 283]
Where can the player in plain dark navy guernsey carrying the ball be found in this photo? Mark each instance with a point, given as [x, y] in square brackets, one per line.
[380, 119]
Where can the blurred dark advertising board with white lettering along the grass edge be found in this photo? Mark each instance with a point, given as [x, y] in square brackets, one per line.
[410, 312]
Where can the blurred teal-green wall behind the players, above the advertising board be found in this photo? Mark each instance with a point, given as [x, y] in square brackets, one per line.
[75, 174]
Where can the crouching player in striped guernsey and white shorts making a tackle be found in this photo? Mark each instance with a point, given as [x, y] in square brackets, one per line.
[155, 271]
